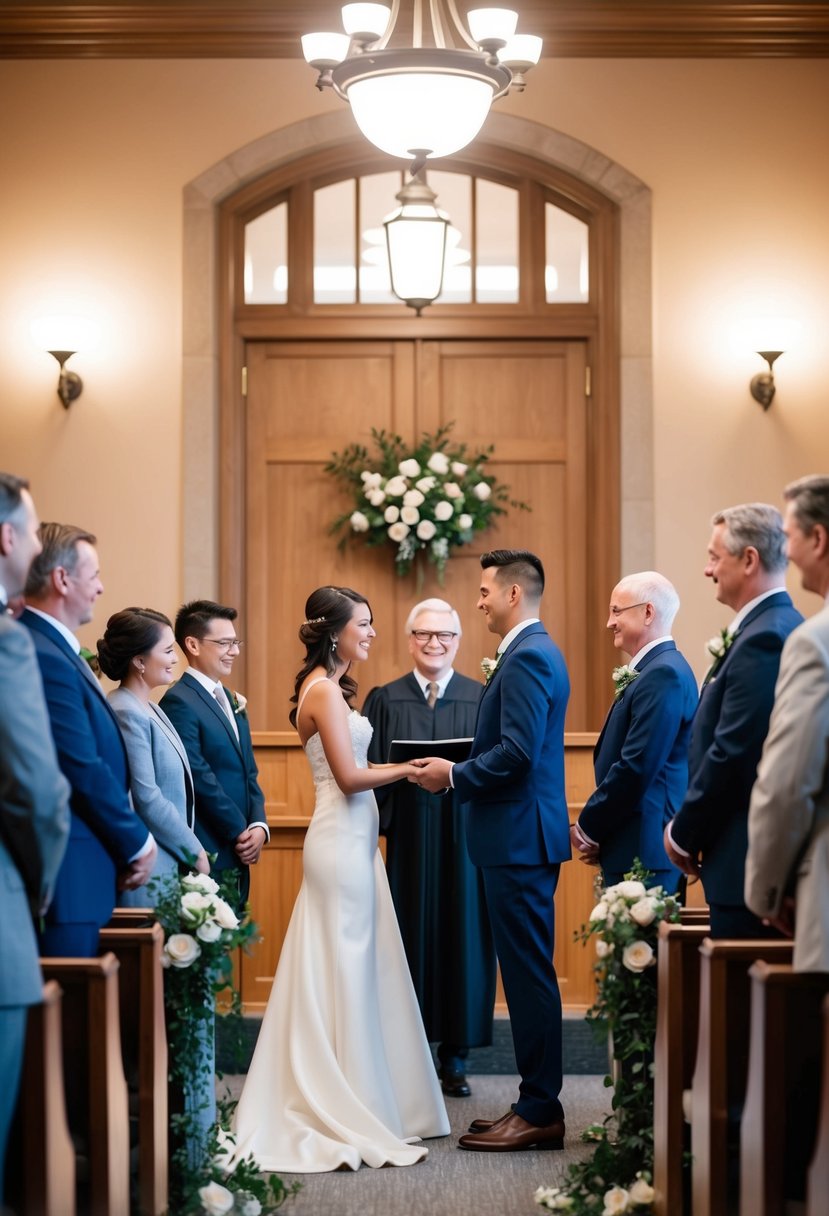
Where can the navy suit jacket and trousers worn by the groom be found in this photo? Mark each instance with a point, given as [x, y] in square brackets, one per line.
[518, 834]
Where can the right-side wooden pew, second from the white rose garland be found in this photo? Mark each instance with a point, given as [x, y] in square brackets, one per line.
[723, 1057]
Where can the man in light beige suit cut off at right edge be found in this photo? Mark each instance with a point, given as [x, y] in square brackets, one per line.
[787, 871]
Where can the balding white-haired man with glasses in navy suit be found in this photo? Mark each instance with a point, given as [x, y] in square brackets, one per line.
[641, 758]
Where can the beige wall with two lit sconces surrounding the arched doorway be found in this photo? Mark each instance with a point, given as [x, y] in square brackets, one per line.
[95, 157]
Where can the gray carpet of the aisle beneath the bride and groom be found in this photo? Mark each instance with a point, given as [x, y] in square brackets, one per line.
[453, 1183]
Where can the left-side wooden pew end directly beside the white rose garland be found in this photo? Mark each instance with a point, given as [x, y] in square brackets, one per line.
[144, 1044]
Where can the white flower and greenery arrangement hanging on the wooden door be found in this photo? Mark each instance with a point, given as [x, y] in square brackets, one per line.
[427, 500]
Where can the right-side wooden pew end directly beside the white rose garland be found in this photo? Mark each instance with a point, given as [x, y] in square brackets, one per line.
[678, 1012]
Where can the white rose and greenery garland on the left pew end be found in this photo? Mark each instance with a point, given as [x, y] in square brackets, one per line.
[201, 934]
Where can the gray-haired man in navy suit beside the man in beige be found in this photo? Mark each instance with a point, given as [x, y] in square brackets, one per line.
[710, 835]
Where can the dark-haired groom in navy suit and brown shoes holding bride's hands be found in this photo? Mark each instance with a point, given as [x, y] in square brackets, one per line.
[518, 835]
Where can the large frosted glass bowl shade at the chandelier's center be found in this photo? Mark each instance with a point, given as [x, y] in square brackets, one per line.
[424, 100]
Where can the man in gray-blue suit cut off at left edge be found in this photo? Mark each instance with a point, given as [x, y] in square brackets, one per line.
[35, 817]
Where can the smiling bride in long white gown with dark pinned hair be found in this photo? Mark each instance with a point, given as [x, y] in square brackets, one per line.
[342, 1073]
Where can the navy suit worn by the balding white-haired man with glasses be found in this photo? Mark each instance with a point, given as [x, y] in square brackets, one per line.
[641, 764]
